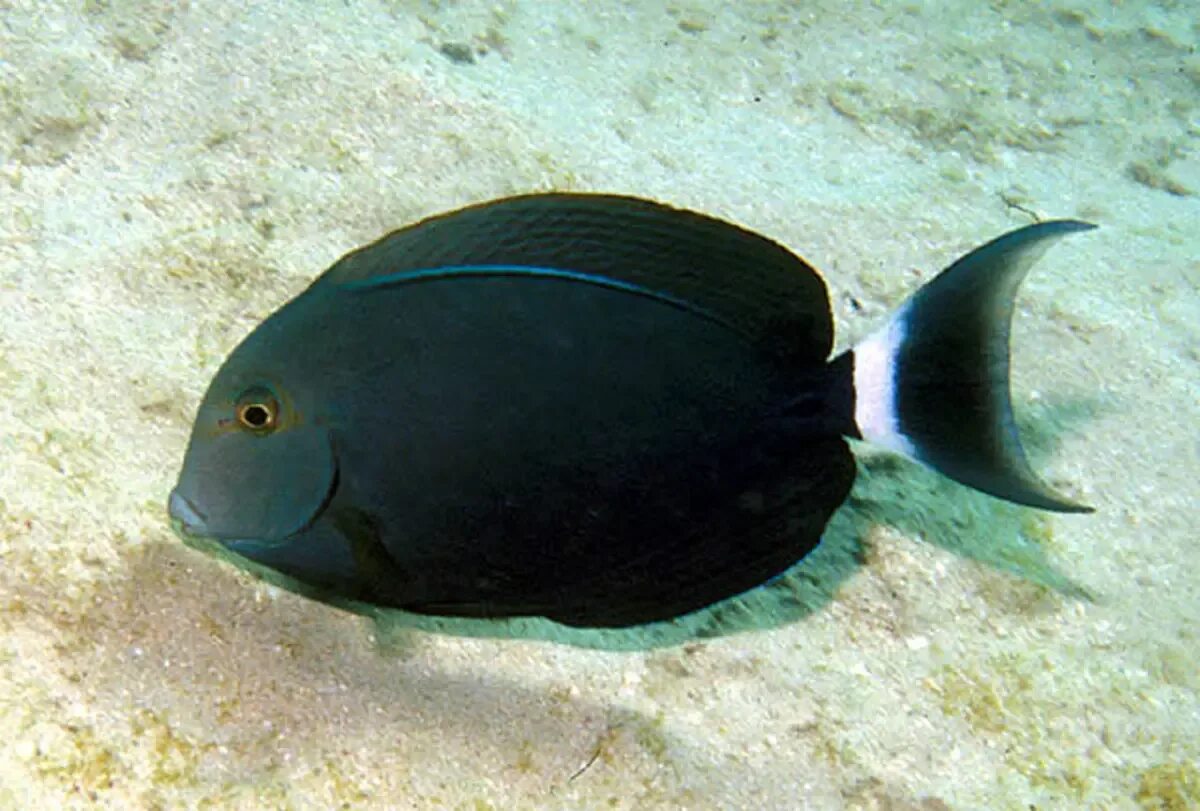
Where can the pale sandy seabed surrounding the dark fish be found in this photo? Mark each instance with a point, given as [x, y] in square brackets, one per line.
[172, 172]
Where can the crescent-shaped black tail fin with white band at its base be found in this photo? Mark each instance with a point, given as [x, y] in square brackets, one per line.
[933, 383]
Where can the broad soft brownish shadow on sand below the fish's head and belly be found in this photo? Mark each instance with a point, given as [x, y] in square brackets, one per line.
[242, 681]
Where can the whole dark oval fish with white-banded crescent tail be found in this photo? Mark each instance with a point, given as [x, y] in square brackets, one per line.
[590, 408]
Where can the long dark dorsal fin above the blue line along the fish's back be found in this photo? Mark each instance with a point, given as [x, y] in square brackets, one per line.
[748, 281]
